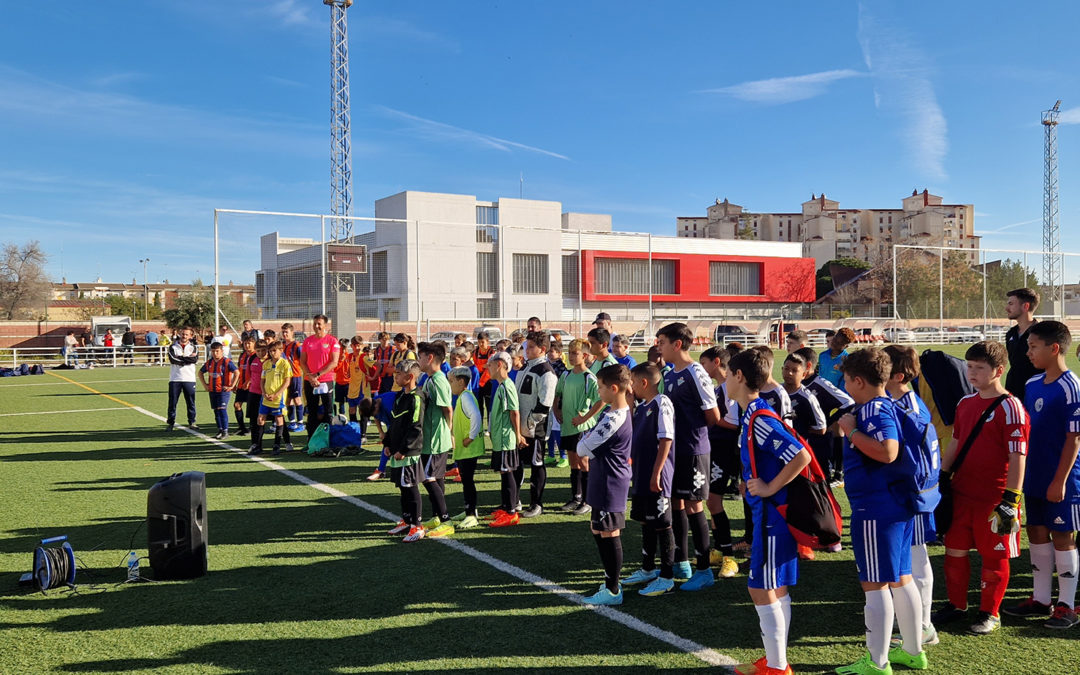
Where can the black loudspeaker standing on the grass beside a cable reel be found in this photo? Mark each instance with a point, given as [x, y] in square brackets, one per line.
[177, 523]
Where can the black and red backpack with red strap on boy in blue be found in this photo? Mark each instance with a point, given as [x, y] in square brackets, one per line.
[812, 512]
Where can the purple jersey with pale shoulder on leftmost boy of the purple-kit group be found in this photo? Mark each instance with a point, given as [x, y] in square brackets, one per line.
[607, 444]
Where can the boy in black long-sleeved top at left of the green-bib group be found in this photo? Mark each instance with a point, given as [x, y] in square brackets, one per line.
[404, 442]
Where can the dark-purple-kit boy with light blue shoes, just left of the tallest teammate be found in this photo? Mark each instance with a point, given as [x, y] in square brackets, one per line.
[654, 422]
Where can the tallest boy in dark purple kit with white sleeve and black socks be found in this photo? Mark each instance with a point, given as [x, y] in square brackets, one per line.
[692, 394]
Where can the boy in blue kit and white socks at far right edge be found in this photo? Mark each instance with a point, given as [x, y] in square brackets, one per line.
[1052, 477]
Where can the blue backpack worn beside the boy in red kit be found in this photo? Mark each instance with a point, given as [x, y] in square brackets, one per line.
[919, 468]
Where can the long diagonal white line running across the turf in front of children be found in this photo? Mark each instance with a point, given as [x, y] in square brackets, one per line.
[705, 654]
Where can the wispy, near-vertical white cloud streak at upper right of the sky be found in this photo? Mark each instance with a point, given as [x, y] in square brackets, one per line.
[902, 86]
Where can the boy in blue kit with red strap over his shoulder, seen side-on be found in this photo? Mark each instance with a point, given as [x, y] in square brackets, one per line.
[778, 458]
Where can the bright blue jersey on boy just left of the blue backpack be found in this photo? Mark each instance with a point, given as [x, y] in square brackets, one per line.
[866, 480]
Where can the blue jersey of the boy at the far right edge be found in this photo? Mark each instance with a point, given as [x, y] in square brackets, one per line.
[1055, 410]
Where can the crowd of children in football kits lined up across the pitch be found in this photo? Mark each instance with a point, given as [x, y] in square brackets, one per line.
[672, 437]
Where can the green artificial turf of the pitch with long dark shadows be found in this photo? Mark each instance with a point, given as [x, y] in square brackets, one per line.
[304, 583]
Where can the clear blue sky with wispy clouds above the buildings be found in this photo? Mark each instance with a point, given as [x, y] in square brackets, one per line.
[123, 125]
